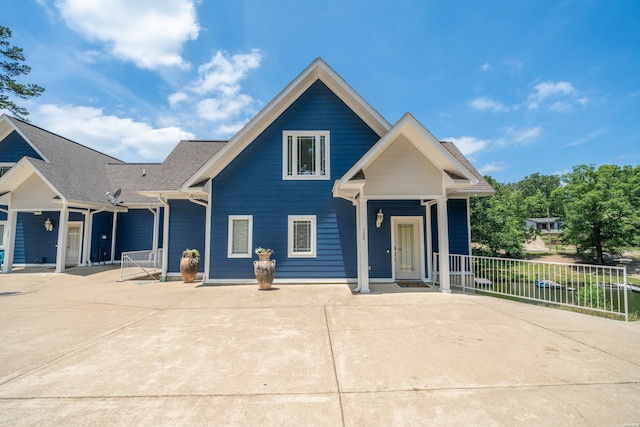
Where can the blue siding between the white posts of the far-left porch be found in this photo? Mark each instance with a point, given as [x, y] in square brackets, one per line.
[33, 244]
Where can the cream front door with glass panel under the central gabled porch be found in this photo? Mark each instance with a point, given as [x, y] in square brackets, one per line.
[408, 248]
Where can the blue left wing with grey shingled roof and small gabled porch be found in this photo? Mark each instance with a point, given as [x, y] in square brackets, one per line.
[53, 195]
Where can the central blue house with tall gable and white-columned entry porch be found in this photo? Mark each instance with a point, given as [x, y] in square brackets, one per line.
[339, 193]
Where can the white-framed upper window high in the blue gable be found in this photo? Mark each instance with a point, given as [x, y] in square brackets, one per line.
[305, 155]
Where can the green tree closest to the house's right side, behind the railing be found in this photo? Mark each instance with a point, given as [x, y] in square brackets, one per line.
[498, 222]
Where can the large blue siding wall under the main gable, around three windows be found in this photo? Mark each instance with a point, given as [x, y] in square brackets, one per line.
[252, 185]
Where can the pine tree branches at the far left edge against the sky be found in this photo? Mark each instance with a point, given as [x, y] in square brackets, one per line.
[11, 68]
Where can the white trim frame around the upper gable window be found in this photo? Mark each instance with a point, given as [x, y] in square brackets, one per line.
[317, 135]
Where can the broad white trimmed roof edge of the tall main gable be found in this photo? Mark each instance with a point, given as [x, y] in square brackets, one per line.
[317, 70]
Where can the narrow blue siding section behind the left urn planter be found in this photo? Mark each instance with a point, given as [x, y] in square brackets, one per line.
[186, 231]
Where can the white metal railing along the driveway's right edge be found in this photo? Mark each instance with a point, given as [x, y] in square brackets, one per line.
[590, 287]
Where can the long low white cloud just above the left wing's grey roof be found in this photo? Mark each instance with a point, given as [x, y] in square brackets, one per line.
[123, 138]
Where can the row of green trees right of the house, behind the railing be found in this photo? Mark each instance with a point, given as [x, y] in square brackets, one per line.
[599, 209]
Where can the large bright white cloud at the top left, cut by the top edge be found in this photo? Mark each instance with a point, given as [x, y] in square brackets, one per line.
[149, 33]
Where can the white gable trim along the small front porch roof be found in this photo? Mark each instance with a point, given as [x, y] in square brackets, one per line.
[414, 132]
